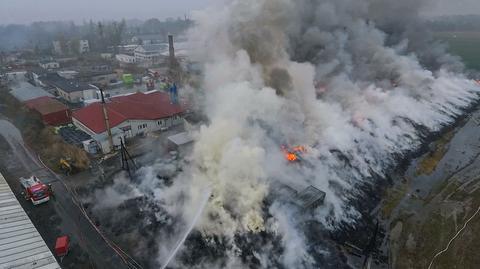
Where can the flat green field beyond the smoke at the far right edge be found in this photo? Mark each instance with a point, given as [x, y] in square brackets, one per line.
[464, 44]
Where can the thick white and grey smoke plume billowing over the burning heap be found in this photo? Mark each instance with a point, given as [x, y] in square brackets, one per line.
[352, 85]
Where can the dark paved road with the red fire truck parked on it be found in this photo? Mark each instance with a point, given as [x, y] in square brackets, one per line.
[61, 213]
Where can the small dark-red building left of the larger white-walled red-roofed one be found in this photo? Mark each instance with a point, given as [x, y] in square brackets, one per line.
[52, 111]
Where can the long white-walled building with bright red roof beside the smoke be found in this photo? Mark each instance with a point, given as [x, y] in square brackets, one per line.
[127, 116]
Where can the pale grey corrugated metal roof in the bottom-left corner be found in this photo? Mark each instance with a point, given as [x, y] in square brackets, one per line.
[21, 246]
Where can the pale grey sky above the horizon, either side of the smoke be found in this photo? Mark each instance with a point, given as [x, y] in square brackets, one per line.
[26, 11]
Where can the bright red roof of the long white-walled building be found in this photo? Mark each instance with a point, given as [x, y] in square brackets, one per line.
[138, 106]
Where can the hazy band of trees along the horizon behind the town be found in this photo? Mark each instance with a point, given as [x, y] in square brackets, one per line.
[101, 35]
